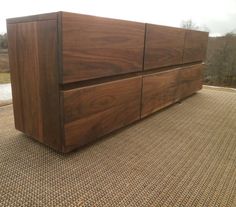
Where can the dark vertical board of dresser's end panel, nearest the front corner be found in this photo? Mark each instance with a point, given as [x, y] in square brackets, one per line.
[49, 83]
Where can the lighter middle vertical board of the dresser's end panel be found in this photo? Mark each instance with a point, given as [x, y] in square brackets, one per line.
[28, 68]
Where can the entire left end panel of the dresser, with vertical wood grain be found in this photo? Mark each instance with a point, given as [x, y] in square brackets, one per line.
[33, 61]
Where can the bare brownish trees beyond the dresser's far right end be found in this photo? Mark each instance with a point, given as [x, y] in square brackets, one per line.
[221, 61]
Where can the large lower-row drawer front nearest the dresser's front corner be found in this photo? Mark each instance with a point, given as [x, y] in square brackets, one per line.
[93, 111]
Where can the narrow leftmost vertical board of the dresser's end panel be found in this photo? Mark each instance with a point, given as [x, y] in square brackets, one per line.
[15, 76]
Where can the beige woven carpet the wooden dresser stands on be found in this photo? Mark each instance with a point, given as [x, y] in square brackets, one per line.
[182, 156]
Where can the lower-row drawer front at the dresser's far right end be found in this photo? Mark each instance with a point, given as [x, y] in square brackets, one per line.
[190, 80]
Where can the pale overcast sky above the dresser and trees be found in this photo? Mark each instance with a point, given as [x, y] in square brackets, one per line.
[219, 16]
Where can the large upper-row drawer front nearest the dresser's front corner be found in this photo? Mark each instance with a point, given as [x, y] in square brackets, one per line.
[94, 47]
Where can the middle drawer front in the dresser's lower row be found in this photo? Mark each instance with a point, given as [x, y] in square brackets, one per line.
[159, 90]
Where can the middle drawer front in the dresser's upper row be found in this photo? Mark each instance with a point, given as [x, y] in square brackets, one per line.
[164, 46]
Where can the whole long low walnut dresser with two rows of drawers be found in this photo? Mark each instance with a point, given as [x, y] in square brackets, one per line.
[76, 78]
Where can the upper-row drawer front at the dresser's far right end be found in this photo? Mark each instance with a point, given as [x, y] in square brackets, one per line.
[195, 46]
